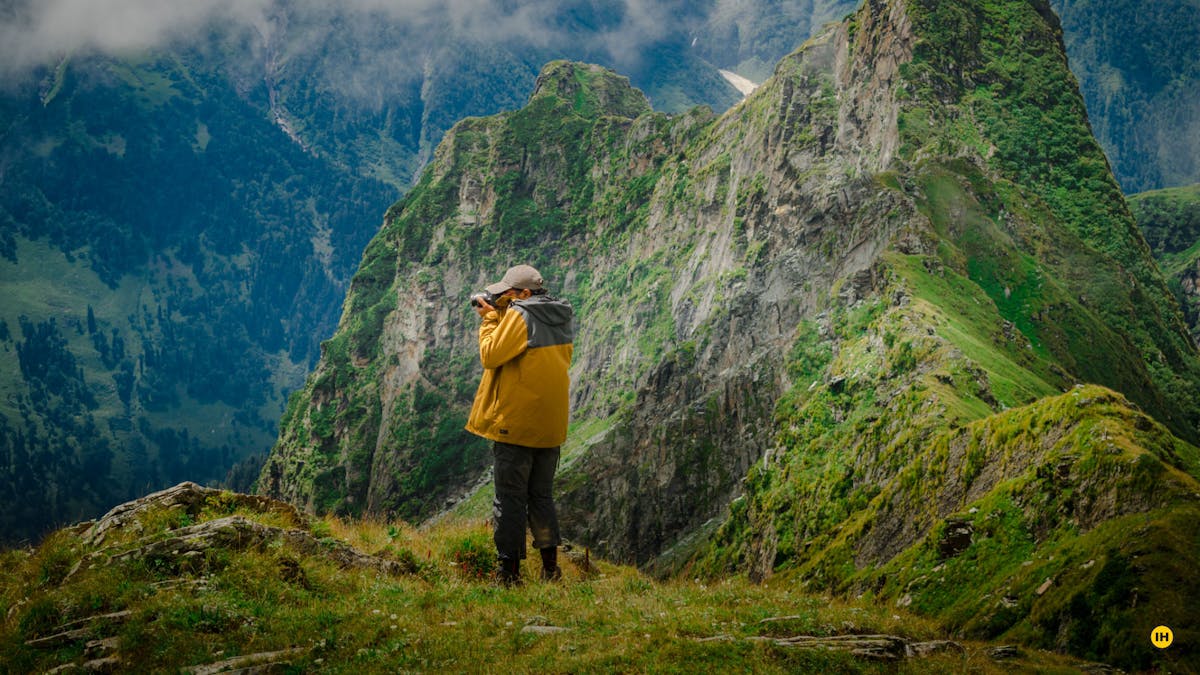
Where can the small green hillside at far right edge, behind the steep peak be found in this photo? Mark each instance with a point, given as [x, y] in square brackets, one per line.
[1171, 222]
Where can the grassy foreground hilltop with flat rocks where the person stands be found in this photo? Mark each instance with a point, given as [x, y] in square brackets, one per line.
[203, 581]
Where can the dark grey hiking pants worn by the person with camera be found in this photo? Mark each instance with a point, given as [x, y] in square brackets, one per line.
[525, 482]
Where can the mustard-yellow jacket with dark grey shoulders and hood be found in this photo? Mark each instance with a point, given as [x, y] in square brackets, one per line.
[524, 397]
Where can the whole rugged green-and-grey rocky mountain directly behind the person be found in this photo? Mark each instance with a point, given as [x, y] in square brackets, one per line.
[885, 328]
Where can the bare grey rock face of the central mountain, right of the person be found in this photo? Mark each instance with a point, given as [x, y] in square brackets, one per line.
[703, 416]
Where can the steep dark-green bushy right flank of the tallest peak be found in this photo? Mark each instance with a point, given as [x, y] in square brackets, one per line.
[1017, 107]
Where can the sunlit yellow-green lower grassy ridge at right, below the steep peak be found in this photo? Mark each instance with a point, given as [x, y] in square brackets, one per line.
[1081, 489]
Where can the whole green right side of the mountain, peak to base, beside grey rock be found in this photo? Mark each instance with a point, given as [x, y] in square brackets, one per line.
[897, 431]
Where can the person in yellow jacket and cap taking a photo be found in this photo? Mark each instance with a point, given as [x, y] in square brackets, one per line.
[526, 345]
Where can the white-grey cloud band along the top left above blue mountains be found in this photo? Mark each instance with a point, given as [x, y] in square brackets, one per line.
[40, 32]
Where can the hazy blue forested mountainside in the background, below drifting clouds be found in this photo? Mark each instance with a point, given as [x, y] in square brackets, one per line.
[179, 223]
